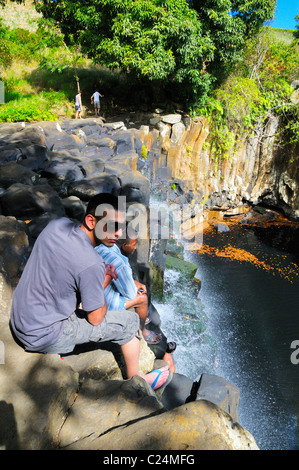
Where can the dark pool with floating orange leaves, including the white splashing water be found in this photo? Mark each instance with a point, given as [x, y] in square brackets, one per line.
[240, 326]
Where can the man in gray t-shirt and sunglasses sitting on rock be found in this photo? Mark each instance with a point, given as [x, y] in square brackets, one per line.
[64, 270]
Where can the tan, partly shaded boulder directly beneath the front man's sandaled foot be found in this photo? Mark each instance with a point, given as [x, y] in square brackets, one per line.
[101, 406]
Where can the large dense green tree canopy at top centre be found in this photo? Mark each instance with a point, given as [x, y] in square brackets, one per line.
[185, 44]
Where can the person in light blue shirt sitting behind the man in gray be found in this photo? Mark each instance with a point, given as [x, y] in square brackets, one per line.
[123, 292]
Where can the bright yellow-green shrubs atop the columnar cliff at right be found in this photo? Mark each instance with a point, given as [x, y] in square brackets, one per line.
[260, 87]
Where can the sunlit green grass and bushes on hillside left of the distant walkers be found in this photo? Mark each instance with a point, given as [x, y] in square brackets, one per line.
[29, 96]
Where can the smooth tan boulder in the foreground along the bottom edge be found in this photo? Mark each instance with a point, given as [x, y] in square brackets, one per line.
[198, 425]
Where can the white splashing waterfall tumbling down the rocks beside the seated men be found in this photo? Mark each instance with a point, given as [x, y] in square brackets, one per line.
[184, 319]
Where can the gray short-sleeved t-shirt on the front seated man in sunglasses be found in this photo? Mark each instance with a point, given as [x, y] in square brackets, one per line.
[63, 268]
